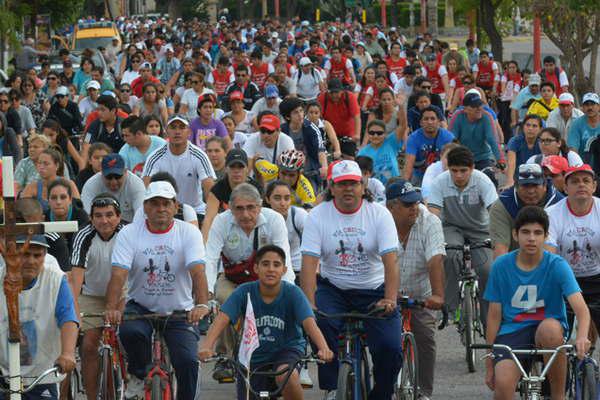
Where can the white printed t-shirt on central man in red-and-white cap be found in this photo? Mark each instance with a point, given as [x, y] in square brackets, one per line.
[350, 246]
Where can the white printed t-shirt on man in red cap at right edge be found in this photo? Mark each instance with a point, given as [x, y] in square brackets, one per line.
[576, 237]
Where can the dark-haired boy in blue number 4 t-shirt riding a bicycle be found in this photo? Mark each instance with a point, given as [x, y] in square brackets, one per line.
[525, 291]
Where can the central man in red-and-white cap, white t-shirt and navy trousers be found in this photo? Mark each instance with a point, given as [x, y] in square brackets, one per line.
[356, 244]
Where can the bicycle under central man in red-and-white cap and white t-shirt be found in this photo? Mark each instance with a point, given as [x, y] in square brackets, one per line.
[354, 375]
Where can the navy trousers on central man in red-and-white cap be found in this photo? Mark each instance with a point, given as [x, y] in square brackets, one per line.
[383, 336]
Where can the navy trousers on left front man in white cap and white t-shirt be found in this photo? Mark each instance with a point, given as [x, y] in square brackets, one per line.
[181, 339]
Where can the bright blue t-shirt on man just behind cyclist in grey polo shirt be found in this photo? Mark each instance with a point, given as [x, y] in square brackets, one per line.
[426, 150]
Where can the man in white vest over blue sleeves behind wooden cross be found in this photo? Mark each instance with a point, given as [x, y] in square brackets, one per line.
[48, 337]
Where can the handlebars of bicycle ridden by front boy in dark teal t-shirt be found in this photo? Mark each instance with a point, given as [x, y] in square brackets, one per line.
[263, 370]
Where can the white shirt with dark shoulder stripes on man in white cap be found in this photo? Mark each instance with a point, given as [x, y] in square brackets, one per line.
[189, 169]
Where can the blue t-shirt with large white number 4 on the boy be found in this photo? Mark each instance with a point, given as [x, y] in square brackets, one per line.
[529, 297]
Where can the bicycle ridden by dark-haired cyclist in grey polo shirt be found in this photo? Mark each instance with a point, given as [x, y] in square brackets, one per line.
[467, 316]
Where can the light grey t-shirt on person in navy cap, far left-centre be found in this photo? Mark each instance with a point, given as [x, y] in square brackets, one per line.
[130, 197]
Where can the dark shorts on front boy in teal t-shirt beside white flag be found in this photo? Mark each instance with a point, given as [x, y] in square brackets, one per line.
[288, 357]
